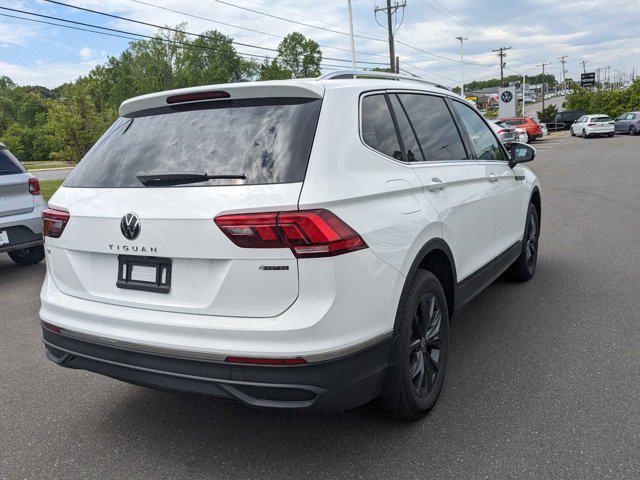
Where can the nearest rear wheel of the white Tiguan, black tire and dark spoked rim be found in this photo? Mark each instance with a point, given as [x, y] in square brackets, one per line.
[419, 358]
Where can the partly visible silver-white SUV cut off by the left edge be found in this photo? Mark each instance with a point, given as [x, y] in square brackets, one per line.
[21, 206]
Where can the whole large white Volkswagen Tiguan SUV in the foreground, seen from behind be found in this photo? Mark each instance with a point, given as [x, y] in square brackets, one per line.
[295, 244]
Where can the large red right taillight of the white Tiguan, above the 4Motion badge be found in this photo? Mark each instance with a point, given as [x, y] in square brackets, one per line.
[308, 233]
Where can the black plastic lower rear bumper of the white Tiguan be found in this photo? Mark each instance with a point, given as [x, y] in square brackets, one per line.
[338, 384]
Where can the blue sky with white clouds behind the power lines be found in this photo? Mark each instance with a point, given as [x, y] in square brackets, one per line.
[539, 31]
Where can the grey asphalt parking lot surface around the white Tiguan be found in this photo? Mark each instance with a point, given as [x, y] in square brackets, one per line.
[543, 379]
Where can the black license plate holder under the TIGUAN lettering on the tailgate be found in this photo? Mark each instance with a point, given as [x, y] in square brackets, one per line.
[149, 274]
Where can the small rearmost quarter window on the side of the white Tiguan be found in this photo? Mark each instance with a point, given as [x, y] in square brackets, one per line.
[378, 130]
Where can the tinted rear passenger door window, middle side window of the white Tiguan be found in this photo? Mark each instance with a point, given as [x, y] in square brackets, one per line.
[434, 125]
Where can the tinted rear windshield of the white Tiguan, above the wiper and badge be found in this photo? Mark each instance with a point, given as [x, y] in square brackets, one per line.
[268, 140]
